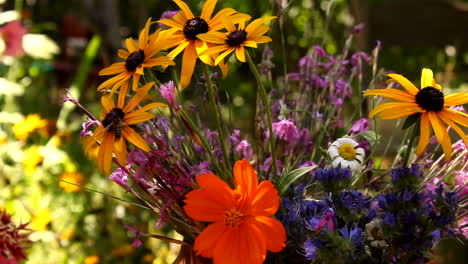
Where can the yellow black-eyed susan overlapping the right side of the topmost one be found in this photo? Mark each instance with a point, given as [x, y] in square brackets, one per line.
[237, 38]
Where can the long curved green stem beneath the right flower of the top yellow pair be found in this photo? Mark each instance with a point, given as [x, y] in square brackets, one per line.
[263, 95]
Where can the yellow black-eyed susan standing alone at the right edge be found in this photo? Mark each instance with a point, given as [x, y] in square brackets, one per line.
[430, 103]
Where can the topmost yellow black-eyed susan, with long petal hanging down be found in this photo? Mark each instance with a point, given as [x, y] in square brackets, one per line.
[183, 32]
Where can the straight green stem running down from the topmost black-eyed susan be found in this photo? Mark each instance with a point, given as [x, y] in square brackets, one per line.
[217, 114]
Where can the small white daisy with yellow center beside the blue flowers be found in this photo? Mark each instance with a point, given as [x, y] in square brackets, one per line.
[345, 154]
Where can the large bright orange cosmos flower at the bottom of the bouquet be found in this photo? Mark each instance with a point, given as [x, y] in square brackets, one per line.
[243, 229]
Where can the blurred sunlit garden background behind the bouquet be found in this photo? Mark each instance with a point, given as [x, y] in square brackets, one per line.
[51, 48]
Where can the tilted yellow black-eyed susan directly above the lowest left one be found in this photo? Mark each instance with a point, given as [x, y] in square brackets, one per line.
[137, 57]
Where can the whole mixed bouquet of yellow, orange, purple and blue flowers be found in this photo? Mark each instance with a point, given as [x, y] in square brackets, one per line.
[310, 183]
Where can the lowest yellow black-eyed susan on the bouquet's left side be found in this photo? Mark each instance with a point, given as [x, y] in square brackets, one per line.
[115, 129]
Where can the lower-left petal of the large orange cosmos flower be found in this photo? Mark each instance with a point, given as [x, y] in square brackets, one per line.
[208, 239]
